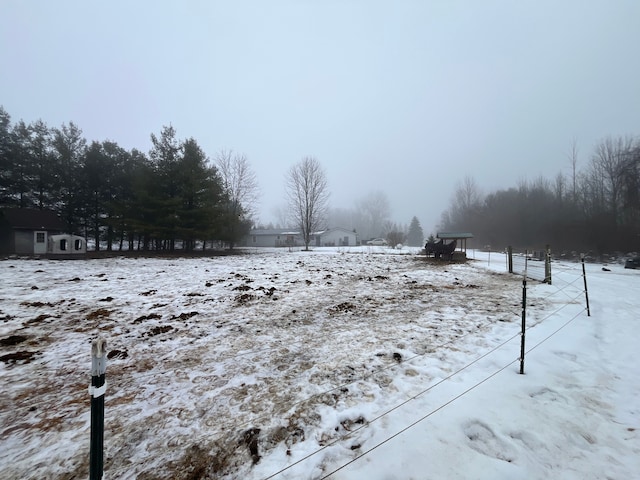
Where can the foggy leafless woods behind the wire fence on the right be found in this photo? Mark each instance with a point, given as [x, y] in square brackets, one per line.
[594, 209]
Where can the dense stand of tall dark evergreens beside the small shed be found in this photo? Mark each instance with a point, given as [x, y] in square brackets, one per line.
[173, 194]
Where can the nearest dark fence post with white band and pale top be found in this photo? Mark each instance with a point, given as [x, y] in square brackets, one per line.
[96, 390]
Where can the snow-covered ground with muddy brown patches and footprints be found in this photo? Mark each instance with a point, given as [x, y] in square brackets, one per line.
[349, 363]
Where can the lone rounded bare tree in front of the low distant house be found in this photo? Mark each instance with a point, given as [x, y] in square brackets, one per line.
[307, 194]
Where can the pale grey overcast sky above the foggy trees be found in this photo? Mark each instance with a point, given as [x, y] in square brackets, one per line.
[407, 97]
